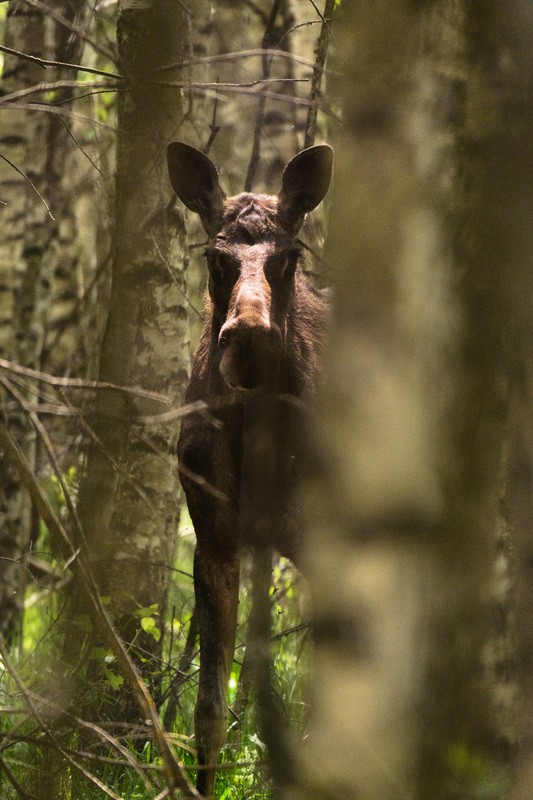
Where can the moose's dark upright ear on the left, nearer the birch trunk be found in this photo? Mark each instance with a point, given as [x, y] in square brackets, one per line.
[194, 178]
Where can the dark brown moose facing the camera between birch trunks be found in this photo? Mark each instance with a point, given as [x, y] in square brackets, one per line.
[263, 334]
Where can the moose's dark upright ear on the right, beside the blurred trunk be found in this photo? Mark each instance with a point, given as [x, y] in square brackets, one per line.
[305, 181]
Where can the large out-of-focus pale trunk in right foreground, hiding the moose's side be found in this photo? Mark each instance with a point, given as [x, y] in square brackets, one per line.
[429, 233]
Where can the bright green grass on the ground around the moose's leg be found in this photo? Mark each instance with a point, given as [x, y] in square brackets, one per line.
[243, 773]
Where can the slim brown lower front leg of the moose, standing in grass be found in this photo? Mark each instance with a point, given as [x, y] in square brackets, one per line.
[216, 584]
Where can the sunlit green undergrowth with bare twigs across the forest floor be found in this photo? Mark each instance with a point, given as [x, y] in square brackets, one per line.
[38, 738]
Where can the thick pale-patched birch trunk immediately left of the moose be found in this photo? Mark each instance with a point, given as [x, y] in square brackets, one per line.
[129, 497]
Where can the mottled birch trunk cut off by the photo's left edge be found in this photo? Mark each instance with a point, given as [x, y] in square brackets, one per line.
[26, 229]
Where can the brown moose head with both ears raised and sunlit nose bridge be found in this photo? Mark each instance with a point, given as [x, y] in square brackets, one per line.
[252, 256]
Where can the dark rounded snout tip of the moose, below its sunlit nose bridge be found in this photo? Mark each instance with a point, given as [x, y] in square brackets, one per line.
[251, 353]
